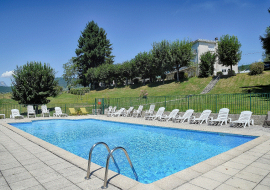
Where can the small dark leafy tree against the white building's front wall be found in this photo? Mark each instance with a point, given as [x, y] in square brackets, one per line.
[207, 64]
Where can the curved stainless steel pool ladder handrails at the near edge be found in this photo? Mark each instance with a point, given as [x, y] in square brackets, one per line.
[105, 185]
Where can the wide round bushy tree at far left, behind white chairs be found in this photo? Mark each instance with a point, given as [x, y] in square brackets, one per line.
[33, 83]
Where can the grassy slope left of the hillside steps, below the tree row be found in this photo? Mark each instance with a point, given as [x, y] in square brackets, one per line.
[170, 88]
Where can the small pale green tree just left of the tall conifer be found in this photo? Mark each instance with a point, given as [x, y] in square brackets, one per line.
[70, 72]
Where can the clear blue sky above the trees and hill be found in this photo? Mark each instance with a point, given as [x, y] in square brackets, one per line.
[48, 31]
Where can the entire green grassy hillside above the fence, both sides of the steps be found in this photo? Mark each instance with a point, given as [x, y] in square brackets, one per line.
[240, 83]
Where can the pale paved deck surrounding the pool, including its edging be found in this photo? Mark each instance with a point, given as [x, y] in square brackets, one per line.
[27, 162]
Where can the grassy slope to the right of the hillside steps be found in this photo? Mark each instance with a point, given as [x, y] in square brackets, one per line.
[242, 83]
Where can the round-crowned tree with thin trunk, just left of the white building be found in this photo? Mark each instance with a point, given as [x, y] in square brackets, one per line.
[181, 53]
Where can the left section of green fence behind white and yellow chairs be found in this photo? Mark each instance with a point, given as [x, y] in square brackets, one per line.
[6, 108]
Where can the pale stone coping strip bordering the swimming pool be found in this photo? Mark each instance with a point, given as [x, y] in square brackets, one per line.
[124, 182]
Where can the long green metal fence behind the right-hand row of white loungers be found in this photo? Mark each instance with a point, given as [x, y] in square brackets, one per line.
[258, 103]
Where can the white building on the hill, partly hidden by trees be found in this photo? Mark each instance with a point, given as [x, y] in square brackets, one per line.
[201, 46]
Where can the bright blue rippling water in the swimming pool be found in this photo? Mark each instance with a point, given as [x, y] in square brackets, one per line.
[155, 152]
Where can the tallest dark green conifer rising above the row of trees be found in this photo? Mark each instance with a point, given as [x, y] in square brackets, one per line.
[93, 50]
